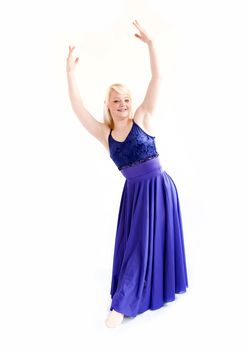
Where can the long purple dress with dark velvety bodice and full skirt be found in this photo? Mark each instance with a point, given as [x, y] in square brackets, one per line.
[149, 264]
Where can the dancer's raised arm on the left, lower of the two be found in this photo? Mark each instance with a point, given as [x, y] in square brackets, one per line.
[93, 126]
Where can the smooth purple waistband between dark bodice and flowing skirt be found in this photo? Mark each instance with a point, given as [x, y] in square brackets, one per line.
[143, 170]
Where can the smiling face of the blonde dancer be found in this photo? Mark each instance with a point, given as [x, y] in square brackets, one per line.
[119, 105]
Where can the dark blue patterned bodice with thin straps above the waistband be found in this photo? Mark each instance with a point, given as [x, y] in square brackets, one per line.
[138, 147]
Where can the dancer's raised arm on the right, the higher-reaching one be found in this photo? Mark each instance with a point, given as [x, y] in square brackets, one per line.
[150, 99]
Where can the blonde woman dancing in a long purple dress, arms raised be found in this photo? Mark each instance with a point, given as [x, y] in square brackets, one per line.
[149, 265]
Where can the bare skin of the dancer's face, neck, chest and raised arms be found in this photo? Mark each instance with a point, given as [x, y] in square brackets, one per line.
[122, 123]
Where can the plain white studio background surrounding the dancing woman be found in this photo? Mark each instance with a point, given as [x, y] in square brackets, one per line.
[60, 191]
